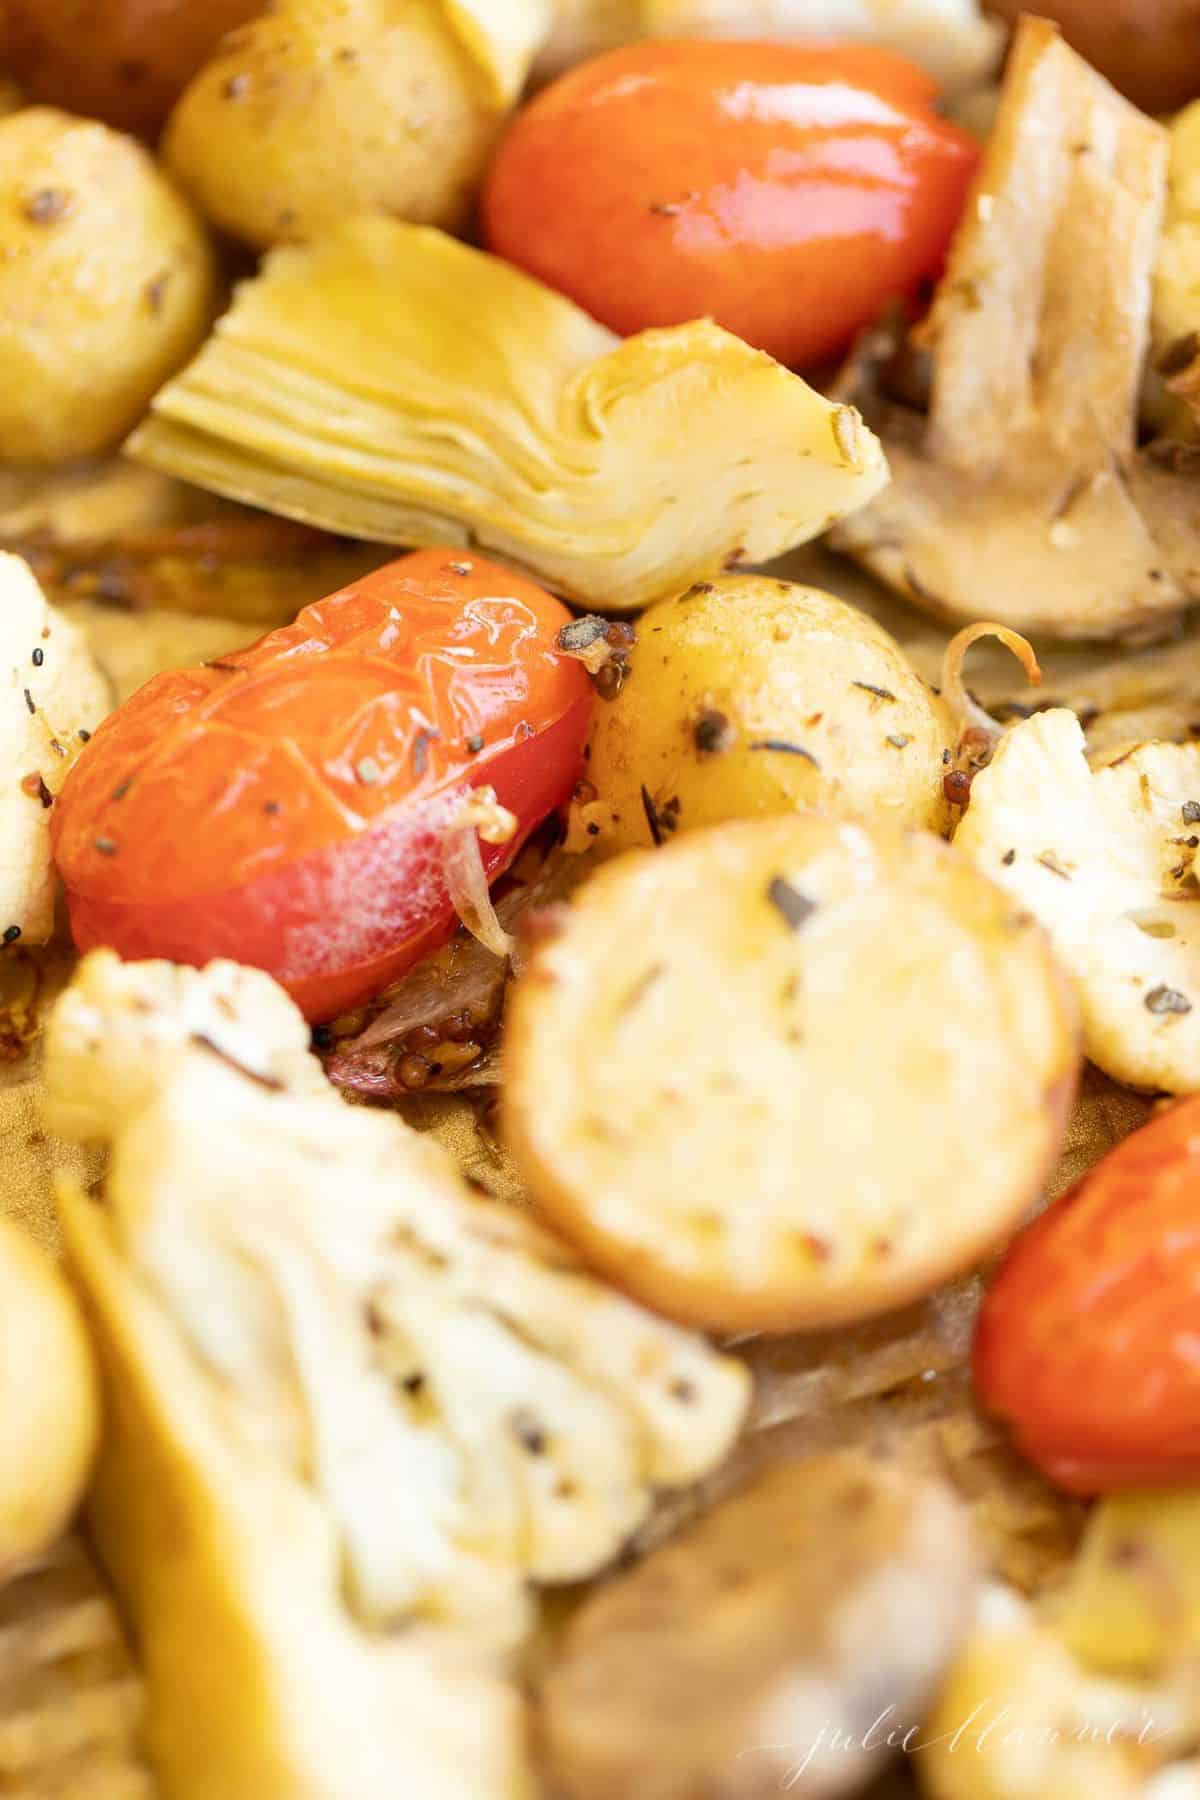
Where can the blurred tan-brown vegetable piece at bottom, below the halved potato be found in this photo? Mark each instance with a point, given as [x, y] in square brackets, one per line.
[809, 1605]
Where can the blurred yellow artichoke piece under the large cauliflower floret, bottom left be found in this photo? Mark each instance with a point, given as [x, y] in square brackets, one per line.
[231, 1576]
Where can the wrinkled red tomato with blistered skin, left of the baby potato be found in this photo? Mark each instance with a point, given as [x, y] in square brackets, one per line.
[285, 807]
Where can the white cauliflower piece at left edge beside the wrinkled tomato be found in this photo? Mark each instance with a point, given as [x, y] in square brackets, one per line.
[51, 692]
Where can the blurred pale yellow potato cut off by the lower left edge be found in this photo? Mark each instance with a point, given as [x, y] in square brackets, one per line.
[49, 1408]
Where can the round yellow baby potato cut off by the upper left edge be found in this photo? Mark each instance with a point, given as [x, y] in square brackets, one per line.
[107, 285]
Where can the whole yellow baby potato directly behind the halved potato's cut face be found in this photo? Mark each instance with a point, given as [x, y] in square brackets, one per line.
[751, 696]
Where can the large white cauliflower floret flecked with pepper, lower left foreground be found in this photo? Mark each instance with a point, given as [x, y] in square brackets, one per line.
[470, 1407]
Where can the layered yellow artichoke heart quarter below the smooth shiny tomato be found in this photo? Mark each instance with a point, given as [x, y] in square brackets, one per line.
[391, 382]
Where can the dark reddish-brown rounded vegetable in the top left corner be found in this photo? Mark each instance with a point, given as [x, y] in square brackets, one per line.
[123, 62]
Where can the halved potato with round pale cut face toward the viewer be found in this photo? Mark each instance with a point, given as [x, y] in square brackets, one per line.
[785, 1074]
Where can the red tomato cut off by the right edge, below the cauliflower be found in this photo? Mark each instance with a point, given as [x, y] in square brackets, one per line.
[1089, 1338]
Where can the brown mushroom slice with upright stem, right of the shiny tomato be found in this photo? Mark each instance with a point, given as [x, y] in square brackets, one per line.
[1023, 494]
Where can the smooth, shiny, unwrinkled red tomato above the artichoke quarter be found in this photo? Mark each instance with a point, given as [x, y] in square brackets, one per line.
[785, 190]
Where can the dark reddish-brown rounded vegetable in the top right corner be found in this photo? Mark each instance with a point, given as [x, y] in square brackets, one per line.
[1151, 49]
